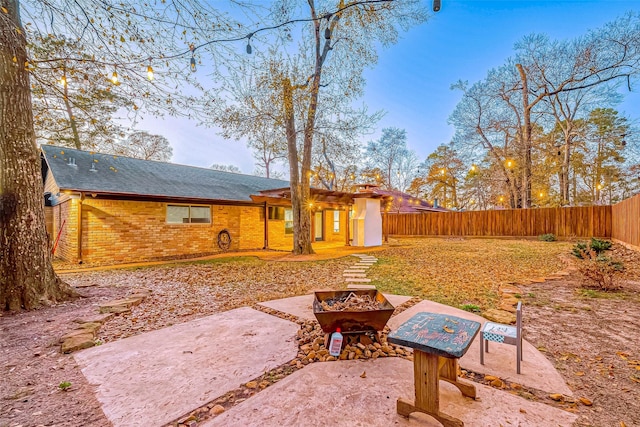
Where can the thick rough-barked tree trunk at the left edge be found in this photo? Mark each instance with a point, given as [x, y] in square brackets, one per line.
[27, 279]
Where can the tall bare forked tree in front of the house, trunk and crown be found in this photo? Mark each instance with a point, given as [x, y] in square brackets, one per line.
[333, 47]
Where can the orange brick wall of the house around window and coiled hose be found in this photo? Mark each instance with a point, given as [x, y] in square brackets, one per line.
[126, 231]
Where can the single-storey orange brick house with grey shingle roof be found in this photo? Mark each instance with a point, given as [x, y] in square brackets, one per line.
[106, 208]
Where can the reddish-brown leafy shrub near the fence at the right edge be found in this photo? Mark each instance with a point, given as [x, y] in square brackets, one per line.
[600, 271]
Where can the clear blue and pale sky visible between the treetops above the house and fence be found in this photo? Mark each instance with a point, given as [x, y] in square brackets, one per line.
[411, 81]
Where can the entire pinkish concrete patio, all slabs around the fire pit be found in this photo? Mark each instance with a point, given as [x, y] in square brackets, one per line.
[154, 378]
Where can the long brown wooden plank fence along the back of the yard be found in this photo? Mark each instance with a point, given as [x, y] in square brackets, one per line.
[585, 221]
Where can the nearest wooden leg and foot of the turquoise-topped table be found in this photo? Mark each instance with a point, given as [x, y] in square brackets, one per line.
[426, 369]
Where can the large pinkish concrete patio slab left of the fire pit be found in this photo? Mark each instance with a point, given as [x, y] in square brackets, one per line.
[153, 378]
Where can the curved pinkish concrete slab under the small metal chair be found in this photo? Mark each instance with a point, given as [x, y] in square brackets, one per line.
[537, 371]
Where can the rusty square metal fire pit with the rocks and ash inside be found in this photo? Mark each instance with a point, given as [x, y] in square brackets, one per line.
[356, 311]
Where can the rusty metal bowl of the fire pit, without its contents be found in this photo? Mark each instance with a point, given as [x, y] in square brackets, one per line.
[352, 322]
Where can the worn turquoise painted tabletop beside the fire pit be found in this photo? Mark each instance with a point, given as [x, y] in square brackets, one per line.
[440, 334]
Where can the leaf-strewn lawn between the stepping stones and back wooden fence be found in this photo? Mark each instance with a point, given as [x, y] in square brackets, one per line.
[457, 273]
